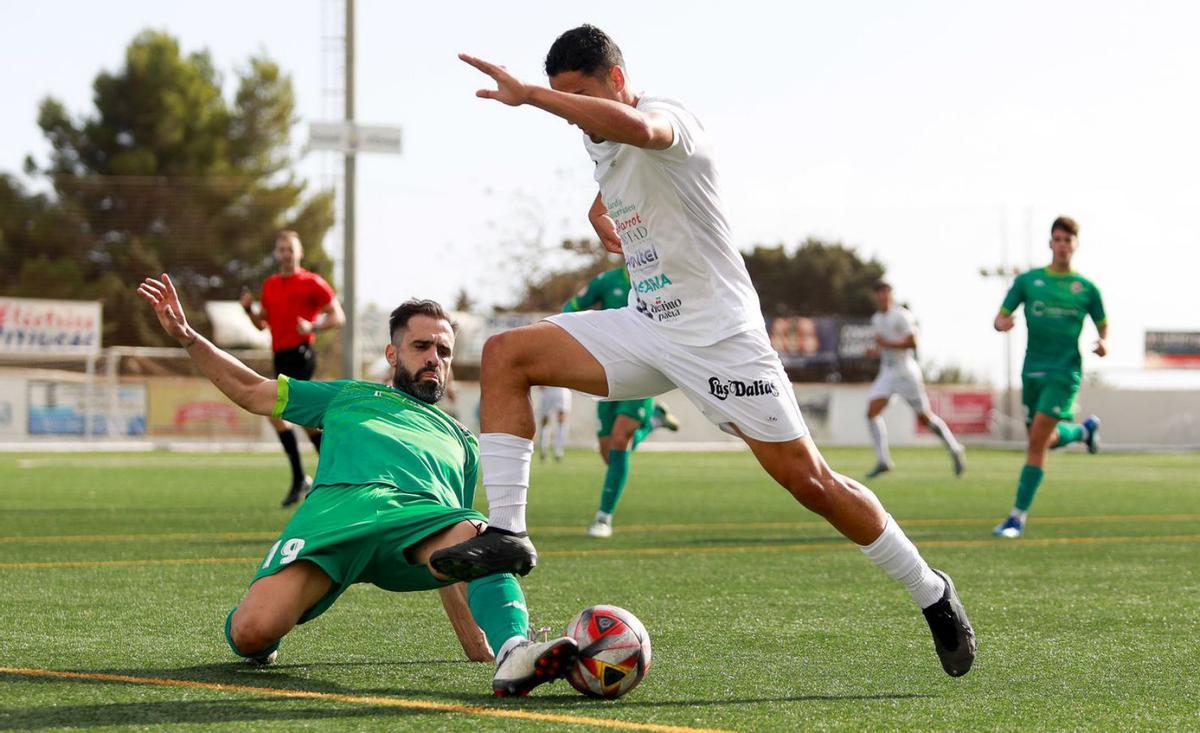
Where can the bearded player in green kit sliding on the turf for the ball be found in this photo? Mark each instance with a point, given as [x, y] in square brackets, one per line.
[397, 482]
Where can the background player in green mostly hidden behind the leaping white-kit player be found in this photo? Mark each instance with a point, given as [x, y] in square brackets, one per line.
[625, 424]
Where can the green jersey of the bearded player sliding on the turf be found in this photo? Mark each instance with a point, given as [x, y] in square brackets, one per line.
[377, 436]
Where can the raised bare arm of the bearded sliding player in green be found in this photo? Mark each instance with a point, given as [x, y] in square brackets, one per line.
[248, 389]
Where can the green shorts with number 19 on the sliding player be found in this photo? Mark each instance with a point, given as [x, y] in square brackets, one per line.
[361, 534]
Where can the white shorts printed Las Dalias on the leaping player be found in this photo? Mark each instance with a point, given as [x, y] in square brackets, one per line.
[735, 382]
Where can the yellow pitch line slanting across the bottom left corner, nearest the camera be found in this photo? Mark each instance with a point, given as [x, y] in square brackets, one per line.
[364, 700]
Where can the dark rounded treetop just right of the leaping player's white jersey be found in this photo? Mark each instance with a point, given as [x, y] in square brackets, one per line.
[819, 279]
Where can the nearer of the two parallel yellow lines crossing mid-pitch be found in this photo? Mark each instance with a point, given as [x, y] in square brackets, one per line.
[833, 545]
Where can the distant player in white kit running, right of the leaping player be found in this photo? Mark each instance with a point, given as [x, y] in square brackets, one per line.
[896, 337]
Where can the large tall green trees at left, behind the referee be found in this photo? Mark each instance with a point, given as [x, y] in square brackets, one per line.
[165, 176]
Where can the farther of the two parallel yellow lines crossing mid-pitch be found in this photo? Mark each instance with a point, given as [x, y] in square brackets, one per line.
[625, 528]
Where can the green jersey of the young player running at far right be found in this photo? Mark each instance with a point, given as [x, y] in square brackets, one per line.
[1055, 307]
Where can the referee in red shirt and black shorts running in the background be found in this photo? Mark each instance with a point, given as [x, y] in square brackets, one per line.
[296, 305]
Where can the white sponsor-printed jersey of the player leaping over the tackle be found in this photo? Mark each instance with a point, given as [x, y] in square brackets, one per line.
[686, 274]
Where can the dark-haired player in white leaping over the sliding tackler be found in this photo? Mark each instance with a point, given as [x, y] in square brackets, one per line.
[693, 323]
